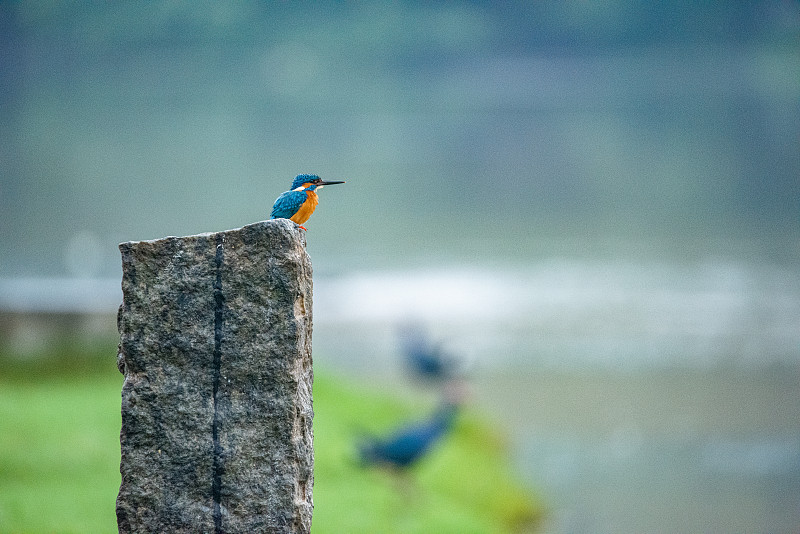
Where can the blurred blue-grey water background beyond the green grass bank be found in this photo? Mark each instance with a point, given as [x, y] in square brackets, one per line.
[593, 205]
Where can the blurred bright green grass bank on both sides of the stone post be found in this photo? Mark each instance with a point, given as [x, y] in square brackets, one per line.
[59, 456]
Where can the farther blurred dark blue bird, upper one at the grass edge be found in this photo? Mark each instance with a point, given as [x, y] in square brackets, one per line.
[423, 358]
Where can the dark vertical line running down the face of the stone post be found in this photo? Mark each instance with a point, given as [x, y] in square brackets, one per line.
[219, 305]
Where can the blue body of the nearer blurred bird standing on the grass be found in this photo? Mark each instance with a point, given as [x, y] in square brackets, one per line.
[406, 445]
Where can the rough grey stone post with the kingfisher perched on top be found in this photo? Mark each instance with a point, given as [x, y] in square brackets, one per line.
[215, 346]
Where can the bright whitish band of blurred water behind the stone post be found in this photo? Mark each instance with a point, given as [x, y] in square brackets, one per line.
[555, 313]
